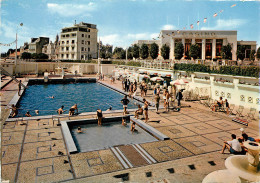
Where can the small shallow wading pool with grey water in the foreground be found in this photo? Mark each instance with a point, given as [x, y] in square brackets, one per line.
[94, 137]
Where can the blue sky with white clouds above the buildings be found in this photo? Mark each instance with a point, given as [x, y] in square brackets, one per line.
[121, 22]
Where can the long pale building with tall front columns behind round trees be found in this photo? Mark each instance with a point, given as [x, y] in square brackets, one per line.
[210, 42]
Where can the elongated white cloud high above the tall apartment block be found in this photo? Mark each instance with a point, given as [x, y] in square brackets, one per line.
[67, 10]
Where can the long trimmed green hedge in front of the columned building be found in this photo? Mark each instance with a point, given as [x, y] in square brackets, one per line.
[228, 70]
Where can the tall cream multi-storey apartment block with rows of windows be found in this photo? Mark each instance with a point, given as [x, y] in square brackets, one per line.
[78, 42]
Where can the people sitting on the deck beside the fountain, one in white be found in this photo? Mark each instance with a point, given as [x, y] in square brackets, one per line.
[235, 145]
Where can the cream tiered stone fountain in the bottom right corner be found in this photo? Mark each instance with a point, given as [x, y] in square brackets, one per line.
[245, 167]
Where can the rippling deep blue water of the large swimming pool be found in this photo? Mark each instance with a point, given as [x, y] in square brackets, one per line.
[88, 96]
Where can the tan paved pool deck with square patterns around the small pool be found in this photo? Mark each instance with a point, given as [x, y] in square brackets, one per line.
[34, 150]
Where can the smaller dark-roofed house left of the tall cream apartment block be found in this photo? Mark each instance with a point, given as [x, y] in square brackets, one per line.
[36, 44]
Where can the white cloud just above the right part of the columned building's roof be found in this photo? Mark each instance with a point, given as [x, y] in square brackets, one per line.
[226, 24]
